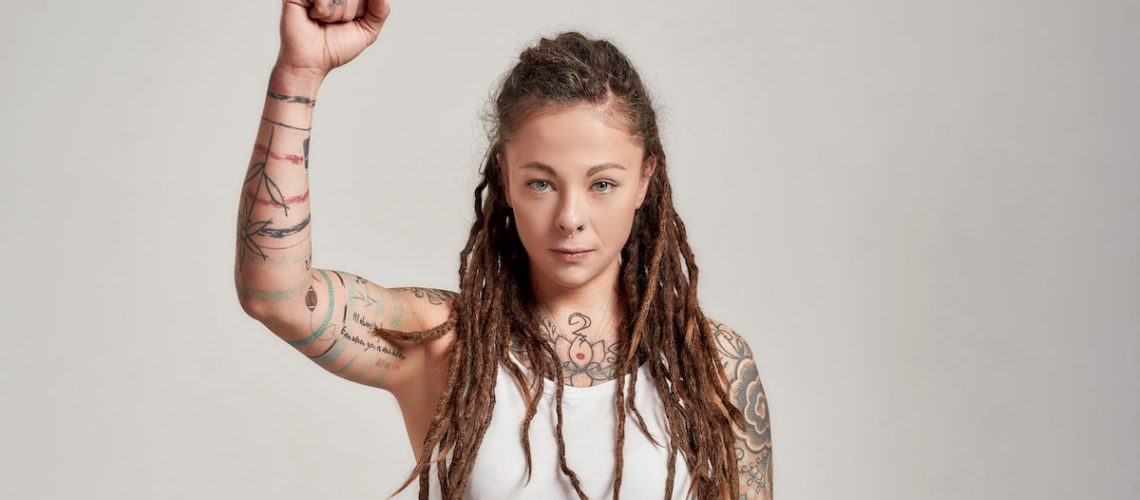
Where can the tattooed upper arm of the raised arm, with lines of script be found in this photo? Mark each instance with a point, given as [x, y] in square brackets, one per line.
[331, 323]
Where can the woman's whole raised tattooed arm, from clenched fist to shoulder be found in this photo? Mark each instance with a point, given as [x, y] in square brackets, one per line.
[323, 314]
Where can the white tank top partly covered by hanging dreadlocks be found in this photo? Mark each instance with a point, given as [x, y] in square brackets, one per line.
[589, 430]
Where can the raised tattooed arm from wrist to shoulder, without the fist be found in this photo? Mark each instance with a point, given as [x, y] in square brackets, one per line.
[325, 315]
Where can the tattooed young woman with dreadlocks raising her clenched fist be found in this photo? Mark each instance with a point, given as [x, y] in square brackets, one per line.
[577, 269]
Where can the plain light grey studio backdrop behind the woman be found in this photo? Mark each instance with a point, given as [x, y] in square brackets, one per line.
[921, 215]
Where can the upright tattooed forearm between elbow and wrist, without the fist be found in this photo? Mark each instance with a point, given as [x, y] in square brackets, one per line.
[274, 251]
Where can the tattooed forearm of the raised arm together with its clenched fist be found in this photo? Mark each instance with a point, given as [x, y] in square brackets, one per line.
[274, 259]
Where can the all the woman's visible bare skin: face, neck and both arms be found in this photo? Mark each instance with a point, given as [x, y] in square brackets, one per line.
[328, 315]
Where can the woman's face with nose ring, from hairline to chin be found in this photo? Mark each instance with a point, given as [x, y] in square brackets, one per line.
[574, 170]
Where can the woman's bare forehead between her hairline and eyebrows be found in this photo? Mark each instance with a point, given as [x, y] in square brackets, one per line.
[579, 136]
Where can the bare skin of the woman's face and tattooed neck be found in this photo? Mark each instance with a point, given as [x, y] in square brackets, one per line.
[577, 171]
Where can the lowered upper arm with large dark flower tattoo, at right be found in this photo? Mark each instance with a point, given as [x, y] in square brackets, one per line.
[754, 442]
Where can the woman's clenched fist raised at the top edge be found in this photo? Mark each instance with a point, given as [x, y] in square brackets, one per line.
[319, 36]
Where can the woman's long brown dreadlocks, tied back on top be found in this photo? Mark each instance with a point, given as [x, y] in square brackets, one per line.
[670, 332]
